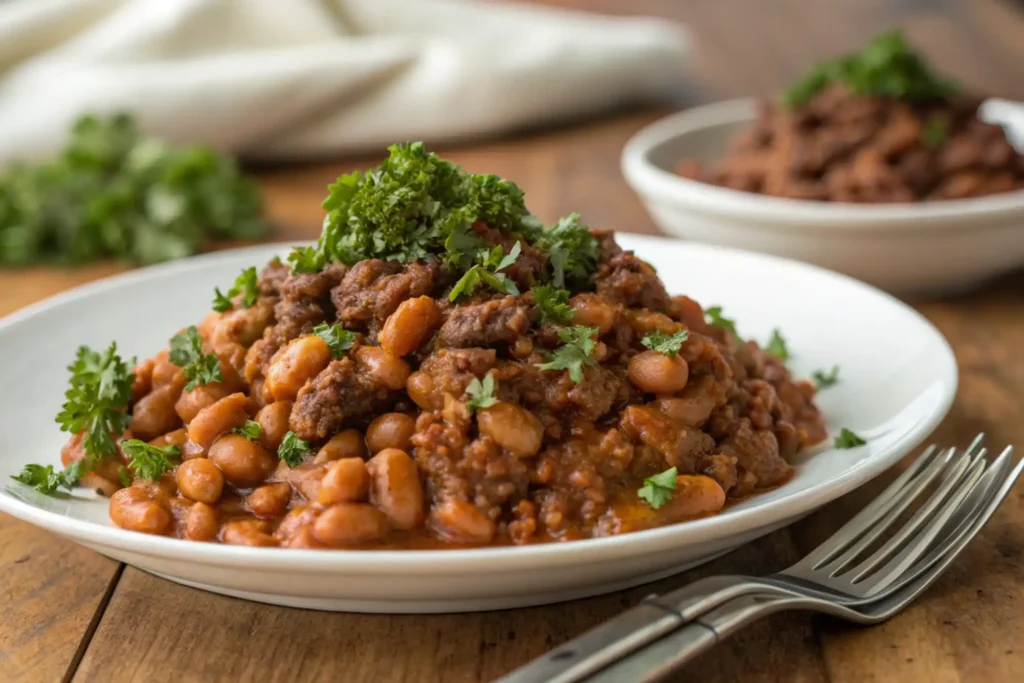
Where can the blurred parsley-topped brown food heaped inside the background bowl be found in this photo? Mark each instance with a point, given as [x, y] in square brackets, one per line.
[874, 127]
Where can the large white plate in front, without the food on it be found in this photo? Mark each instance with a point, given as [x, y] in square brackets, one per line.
[899, 380]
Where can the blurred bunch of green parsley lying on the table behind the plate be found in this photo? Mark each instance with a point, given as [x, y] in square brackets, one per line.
[115, 193]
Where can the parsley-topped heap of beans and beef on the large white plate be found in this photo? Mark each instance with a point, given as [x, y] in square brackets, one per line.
[440, 370]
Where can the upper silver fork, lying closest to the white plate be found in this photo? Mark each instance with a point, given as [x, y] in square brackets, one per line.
[817, 576]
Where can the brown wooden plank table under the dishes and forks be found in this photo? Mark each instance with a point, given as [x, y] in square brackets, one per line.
[68, 614]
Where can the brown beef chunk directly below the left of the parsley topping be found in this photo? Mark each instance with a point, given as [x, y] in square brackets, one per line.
[373, 289]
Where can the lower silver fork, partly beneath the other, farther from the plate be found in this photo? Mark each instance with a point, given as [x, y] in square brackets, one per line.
[668, 654]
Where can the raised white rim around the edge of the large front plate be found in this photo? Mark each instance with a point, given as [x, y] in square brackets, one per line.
[501, 560]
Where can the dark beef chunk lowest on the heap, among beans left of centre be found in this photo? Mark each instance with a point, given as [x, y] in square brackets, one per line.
[342, 397]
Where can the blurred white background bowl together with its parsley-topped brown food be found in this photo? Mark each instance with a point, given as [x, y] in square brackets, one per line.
[870, 165]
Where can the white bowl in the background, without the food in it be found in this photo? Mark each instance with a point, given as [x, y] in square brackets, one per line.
[925, 248]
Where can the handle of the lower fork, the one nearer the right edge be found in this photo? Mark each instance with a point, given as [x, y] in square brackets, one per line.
[660, 659]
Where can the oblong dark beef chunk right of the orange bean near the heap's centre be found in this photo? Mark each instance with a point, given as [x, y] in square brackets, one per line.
[484, 324]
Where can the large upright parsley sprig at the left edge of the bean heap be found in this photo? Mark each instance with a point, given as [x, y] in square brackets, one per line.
[96, 402]
